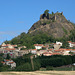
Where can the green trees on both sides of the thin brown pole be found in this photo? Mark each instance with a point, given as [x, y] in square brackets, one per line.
[24, 63]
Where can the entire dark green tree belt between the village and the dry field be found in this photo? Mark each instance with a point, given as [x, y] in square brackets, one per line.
[48, 62]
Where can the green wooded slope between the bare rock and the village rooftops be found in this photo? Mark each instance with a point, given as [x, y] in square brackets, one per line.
[42, 38]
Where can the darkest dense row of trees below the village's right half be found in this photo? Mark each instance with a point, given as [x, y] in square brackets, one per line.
[55, 61]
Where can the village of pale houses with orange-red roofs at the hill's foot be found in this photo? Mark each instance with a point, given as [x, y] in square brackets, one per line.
[40, 49]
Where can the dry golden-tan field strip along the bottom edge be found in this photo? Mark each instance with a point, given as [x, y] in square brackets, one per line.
[40, 73]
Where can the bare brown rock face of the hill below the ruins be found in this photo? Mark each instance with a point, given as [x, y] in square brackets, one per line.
[55, 25]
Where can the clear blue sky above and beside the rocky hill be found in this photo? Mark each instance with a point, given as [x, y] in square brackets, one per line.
[17, 16]
